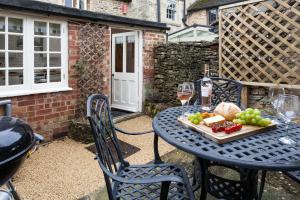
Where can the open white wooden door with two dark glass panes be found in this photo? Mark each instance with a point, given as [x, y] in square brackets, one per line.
[125, 79]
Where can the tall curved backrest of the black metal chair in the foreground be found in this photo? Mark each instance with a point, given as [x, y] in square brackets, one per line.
[108, 149]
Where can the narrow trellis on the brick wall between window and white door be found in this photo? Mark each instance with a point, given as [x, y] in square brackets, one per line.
[90, 66]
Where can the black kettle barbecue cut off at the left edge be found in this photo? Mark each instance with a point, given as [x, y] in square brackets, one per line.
[16, 140]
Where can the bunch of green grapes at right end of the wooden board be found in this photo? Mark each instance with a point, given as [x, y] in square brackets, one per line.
[251, 117]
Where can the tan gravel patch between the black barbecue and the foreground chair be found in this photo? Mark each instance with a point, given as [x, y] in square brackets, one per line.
[61, 170]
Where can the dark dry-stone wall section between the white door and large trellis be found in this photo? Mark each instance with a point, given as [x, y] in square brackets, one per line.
[180, 62]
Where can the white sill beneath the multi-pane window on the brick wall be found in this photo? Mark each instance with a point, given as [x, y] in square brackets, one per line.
[31, 92]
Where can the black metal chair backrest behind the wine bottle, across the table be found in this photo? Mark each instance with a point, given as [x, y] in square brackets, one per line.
[226, 90]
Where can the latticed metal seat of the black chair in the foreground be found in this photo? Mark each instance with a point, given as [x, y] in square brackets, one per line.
[177, 191]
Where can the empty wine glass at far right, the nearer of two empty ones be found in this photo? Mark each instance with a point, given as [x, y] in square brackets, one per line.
[288, 107]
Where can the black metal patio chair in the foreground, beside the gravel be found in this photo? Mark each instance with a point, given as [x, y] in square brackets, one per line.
[125, 181]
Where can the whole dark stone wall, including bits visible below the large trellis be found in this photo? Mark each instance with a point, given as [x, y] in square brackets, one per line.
[179, 62]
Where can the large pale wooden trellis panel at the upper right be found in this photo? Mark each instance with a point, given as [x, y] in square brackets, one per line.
[260, 42]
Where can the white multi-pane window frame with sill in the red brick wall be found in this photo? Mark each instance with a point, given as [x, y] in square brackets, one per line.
[29, 87]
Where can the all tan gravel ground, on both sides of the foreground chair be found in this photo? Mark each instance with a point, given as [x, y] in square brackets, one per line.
[64, 169]
